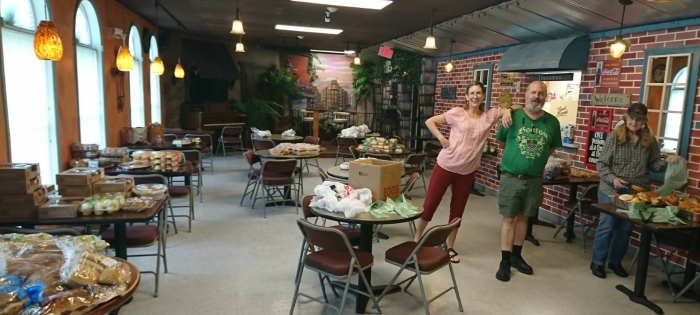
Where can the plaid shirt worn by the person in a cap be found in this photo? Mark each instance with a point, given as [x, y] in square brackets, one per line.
[629, 162]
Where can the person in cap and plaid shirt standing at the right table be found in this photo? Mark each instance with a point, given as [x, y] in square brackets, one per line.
[629, 154]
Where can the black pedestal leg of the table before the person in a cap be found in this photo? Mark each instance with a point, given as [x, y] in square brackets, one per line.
[640, 280]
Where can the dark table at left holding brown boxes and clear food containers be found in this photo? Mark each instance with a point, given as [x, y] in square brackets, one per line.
[119, 219]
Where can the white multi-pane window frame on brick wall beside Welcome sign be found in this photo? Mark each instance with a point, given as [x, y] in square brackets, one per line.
[667, 86]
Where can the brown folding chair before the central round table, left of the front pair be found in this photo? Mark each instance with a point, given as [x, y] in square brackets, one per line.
[337, 259]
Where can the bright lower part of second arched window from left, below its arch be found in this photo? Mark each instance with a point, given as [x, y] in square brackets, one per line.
[90, 107]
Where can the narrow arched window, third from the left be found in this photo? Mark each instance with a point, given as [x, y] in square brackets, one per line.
[138, 112]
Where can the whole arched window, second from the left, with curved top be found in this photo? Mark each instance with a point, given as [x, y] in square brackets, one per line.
[90, 85]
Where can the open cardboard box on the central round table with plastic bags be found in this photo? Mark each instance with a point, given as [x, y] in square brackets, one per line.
[383, 178]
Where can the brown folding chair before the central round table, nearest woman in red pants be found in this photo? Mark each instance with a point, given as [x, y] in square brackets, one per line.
[424, 258]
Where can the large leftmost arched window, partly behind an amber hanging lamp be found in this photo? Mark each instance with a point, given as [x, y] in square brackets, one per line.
[29, 89]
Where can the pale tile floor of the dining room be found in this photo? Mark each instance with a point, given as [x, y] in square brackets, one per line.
[237, 262]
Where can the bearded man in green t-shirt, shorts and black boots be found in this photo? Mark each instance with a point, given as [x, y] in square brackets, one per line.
[529, 141]
